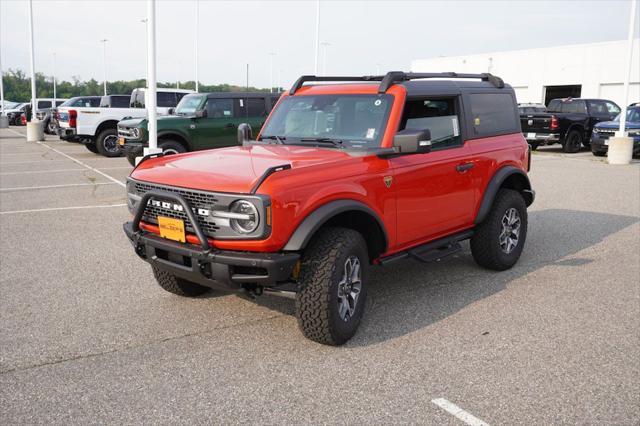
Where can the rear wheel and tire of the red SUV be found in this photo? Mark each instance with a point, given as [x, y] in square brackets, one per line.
[498, 241]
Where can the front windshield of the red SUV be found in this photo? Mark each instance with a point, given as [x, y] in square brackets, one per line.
[349, 121]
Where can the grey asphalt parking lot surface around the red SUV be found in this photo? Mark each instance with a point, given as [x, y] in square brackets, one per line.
[86, 336]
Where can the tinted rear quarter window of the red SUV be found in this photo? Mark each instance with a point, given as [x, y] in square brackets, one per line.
[493, 114]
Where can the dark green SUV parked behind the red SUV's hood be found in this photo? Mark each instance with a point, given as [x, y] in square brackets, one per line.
[200, 121]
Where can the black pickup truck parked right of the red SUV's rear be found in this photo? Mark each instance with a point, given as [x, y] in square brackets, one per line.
[567, 121]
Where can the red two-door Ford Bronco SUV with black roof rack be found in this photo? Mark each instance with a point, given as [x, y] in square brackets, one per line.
[341, 177]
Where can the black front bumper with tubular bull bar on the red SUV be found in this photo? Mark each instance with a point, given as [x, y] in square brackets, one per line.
[204, 265]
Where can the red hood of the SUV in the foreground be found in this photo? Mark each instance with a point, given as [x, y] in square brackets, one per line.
[235, 169]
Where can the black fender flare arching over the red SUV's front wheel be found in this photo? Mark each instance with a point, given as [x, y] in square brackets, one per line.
[307, 228]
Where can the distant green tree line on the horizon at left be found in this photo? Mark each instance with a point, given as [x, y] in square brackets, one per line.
[17, 87]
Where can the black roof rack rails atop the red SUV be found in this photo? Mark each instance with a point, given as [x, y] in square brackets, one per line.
[392, 77]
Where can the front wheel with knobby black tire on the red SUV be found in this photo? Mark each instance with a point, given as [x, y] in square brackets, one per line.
[332, 293]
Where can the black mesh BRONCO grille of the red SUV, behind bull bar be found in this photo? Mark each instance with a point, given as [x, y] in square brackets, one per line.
[197, 200]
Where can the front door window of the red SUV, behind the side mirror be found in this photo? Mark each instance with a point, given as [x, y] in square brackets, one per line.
[437, 115]
